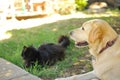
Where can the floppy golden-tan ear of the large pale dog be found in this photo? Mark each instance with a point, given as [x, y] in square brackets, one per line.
[95, 33]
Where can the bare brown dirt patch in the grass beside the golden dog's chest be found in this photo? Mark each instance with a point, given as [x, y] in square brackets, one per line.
[82, 66]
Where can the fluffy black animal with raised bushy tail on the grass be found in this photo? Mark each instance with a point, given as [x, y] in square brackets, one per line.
[46, 54]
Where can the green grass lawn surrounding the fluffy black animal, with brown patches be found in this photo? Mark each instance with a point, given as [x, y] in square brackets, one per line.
[75, 61]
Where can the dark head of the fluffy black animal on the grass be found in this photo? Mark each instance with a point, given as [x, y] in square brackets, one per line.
[29, 54]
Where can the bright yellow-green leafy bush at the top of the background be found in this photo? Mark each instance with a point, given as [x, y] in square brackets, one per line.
[80, 4]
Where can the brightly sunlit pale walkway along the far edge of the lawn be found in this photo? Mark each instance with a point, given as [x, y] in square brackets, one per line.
[23, 24]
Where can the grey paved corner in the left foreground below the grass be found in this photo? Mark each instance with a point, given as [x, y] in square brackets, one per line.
[9, 71]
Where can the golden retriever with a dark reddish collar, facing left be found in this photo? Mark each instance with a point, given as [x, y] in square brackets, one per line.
[104, 45]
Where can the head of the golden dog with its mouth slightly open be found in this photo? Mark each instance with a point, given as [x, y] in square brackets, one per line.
[92, 32]
